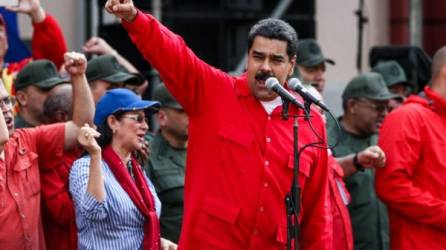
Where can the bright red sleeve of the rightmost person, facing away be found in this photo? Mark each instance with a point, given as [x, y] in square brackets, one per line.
[401, 140]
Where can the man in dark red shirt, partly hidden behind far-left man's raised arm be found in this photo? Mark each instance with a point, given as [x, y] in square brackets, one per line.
[58, 215]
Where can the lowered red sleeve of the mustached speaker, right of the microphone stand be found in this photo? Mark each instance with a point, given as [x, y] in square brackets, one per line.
[316, 223]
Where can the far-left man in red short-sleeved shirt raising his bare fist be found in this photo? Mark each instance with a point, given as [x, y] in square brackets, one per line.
[27, 151]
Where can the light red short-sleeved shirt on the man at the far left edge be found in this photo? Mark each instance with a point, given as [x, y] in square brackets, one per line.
[25, 151]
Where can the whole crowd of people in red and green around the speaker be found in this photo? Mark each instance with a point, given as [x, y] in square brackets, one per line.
[80, 168]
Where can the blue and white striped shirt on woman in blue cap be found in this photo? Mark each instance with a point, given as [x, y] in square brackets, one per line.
[115, 223]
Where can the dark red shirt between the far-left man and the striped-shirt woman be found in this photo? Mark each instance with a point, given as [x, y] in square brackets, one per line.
[58, 215]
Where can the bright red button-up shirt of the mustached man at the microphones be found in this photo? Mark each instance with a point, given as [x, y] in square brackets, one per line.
[239, 162]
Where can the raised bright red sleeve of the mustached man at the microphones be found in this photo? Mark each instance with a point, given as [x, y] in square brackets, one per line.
[195, 84]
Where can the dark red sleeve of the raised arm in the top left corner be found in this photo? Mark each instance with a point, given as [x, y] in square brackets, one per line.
[48, 41]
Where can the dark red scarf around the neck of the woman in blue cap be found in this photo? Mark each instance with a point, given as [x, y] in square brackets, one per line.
[139, 192]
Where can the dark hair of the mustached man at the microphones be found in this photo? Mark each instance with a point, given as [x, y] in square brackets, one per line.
[275, 29]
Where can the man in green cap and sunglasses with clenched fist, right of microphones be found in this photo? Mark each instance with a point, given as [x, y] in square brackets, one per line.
[365, 102]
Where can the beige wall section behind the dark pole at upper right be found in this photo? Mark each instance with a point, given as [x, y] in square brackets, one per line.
[337, 34]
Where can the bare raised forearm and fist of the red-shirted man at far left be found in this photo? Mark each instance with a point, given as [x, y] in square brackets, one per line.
[83, 104]
